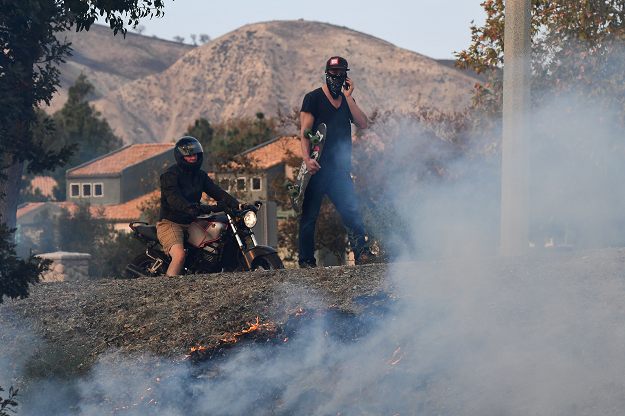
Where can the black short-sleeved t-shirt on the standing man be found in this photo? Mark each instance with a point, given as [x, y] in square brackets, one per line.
[337, 152]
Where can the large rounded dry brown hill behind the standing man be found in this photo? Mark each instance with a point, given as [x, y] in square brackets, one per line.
[265, 66]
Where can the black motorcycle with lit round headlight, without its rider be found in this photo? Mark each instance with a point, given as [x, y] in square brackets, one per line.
[214, 244]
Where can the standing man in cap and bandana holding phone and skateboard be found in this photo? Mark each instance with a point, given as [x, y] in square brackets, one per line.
[332, 174]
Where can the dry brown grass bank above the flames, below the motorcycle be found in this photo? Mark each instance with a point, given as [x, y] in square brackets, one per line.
[196, 316]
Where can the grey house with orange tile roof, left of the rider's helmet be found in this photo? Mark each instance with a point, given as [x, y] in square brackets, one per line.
[120, 176]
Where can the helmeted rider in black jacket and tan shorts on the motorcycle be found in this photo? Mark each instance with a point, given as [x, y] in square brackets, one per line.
[182, 186]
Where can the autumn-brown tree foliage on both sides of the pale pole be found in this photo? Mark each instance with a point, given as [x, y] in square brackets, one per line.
[577, 49]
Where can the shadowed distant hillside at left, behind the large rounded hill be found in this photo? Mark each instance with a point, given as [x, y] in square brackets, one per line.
[112, 61]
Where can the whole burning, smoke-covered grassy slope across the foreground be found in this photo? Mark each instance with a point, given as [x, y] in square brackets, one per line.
[539, 334]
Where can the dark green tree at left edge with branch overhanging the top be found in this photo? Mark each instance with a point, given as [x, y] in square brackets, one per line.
[30, 75]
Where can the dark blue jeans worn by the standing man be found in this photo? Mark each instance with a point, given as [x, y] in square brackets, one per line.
[339, 187]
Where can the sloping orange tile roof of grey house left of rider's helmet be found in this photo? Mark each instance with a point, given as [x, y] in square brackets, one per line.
[113, 163]
